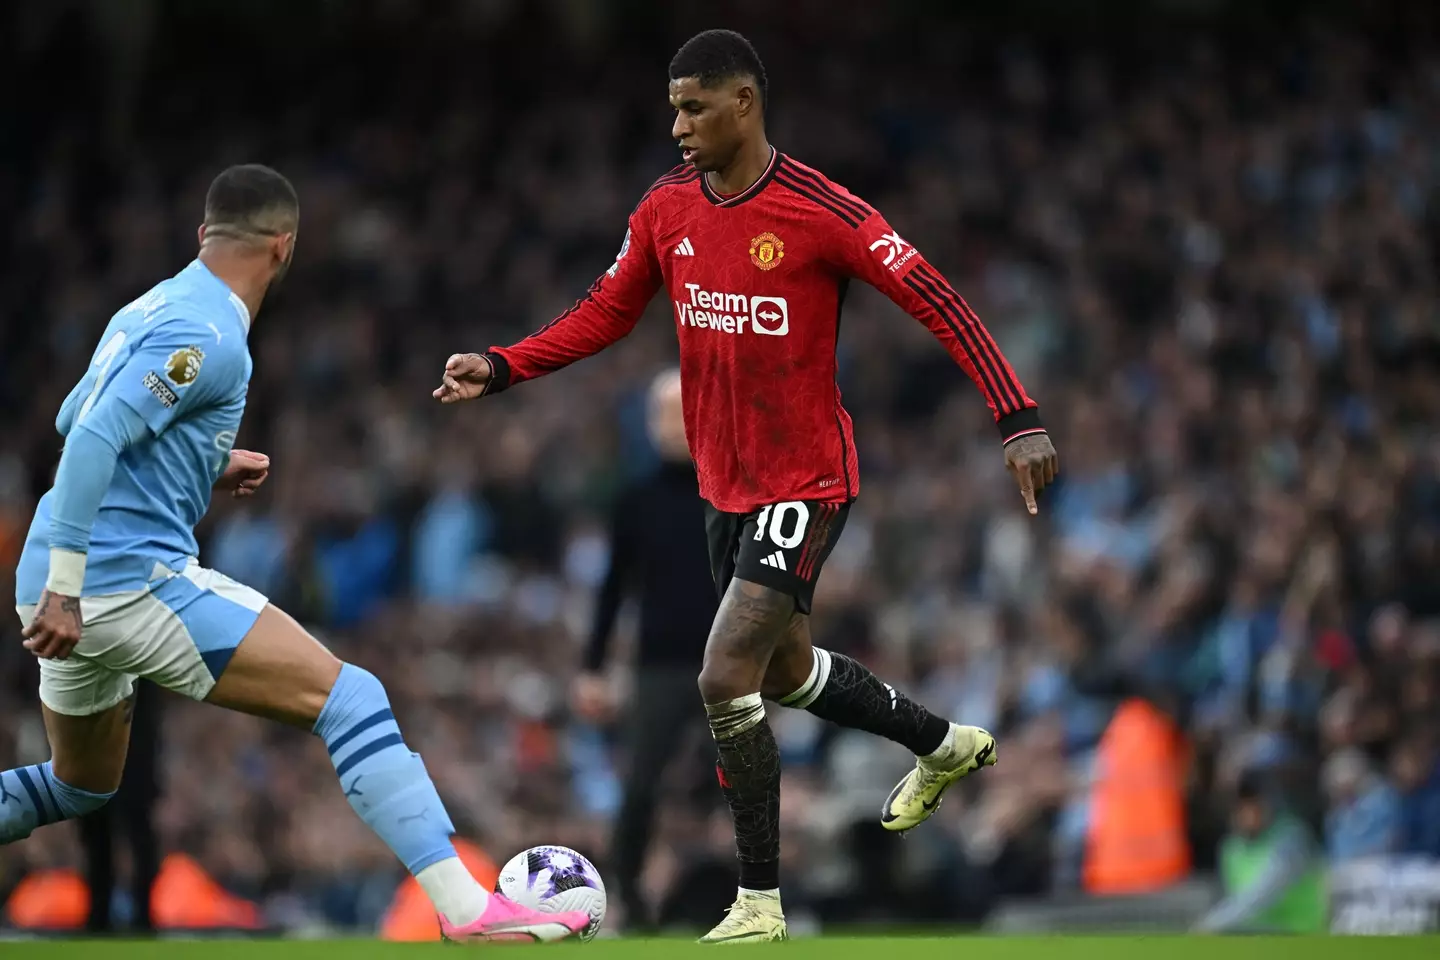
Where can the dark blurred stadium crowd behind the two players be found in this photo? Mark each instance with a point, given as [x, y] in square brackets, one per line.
[1205, 232]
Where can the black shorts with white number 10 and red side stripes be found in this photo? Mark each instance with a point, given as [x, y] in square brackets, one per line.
[781, 546]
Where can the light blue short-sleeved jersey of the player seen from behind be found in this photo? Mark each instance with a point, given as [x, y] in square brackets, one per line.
[178, 359]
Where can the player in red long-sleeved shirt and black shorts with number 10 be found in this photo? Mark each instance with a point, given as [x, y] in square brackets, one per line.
[755, 251]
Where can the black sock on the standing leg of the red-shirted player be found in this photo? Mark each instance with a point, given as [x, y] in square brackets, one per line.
[750, 775]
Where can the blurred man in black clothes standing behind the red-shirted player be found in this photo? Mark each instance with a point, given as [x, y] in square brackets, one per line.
[659, 556]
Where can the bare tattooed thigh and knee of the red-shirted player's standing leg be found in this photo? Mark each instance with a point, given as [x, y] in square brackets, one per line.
[751, 622]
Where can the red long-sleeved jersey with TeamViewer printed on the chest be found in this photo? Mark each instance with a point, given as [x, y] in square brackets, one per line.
[757, 284]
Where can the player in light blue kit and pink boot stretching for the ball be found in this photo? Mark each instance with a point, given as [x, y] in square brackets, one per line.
[110, 588]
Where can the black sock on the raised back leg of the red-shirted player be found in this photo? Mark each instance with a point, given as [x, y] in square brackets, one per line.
[846, 693]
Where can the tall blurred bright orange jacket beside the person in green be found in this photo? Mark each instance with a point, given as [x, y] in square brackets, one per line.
[1137, 840]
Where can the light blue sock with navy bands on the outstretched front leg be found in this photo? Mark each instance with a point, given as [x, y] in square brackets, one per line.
[385, 782]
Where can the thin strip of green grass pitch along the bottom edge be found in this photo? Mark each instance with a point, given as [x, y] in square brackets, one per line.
[967, 948]
